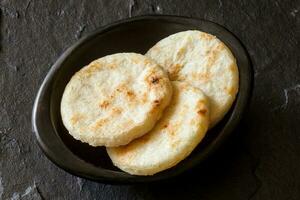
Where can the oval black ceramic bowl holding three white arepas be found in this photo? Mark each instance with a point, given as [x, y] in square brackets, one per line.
[132, 35]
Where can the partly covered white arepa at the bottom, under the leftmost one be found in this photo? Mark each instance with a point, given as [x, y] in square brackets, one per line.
[180, 129]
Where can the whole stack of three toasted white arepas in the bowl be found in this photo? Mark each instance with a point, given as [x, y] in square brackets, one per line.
[150, 111]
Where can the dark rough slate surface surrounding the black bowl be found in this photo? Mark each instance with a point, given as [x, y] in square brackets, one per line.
[261, 162]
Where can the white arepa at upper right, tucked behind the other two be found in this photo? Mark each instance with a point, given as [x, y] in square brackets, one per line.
[205, 62]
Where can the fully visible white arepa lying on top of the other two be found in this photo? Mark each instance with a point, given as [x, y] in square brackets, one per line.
[115, 99]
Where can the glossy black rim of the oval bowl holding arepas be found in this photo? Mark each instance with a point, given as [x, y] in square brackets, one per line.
[108, 176]
